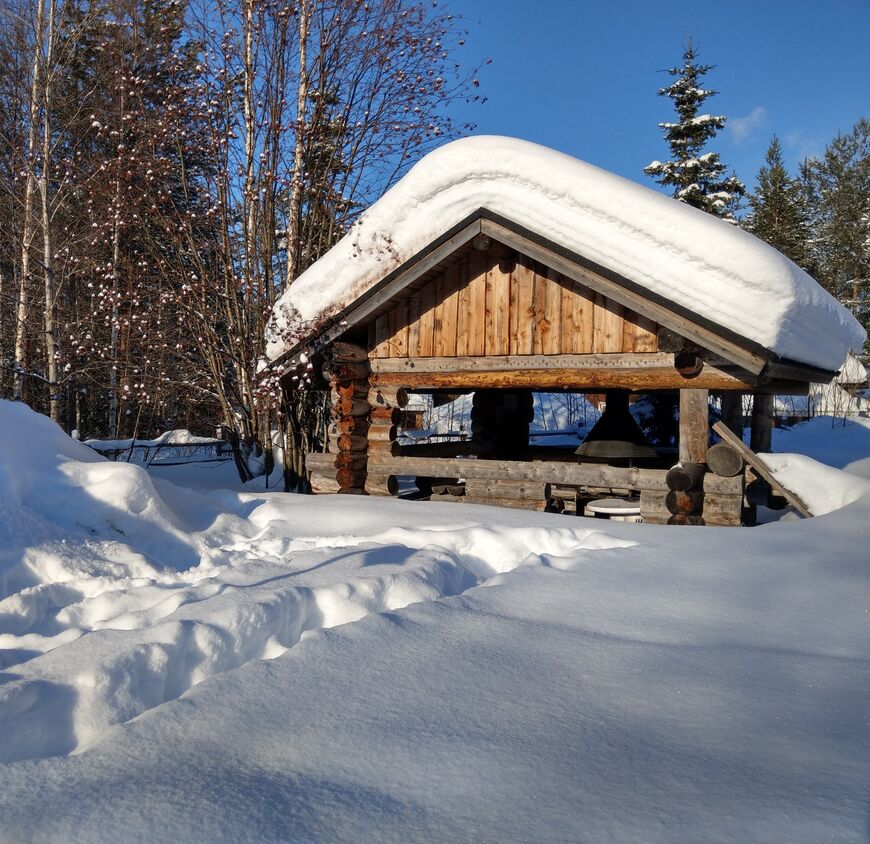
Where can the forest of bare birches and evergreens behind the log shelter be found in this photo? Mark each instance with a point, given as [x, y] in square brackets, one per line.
[168, 168]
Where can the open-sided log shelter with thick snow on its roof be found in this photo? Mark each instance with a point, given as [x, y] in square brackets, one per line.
[500, 267]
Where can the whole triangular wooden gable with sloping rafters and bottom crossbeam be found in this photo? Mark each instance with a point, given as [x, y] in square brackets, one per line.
[489, 304]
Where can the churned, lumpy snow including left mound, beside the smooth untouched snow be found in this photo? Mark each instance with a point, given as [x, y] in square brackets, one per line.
[118, 594]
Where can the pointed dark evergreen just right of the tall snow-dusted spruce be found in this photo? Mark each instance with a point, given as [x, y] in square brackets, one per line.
[778, 213]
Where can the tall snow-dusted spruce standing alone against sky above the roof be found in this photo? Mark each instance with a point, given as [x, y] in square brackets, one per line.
[697, 177]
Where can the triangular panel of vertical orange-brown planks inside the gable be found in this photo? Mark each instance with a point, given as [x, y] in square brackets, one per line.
[488, 305]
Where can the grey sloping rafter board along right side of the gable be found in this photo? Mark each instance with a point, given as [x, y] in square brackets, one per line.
[628, 297]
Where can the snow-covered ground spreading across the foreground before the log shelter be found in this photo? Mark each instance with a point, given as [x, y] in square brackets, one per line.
[214, 665]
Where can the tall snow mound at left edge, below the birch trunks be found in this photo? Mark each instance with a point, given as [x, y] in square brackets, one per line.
[89, 516]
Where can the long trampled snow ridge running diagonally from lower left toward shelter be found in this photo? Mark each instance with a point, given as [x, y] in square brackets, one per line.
[106, 677]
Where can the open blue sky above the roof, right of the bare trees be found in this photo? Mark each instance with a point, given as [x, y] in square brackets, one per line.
[582, 75]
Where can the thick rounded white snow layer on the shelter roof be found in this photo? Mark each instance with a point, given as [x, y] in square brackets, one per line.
[687, 256]
